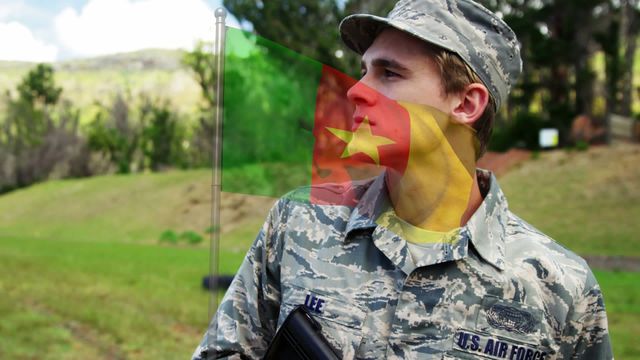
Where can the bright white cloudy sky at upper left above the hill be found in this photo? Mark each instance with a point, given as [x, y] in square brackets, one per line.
[45, 30]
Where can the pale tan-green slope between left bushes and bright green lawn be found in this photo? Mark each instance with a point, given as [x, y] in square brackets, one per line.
[124, 209]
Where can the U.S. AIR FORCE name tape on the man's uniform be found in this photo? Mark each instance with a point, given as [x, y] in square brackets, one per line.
[495, 347]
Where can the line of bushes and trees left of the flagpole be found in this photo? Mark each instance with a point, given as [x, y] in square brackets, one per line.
[41, 136]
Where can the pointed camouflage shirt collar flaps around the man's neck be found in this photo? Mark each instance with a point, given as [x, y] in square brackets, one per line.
[485, 229]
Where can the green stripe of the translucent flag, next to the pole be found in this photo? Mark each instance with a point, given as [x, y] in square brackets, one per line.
[269, 104]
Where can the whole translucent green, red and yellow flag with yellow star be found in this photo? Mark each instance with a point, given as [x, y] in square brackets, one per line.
[290, 121]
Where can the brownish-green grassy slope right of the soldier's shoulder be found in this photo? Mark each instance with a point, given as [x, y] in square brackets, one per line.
[588, 201]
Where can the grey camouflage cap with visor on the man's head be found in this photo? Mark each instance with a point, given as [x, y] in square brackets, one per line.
[485, 42]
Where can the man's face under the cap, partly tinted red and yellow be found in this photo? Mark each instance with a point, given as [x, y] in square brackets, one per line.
[397, 66]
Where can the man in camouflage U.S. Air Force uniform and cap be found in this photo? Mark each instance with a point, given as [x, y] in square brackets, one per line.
[390, 277]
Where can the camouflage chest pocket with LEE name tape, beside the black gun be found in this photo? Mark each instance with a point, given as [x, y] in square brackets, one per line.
[341, 319]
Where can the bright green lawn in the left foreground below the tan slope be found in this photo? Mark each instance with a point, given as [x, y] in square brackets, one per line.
[77, 300]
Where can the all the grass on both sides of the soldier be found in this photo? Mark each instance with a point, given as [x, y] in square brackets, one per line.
[83, 274]
